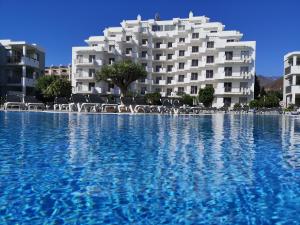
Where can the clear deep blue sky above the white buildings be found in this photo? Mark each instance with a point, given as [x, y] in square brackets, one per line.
[57, 25]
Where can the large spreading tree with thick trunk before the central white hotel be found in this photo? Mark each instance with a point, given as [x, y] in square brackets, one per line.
[121, 74]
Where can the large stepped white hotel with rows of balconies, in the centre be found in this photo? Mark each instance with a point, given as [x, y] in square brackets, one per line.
[180, 56]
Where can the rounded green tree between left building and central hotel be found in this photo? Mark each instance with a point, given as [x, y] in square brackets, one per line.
[49, 87]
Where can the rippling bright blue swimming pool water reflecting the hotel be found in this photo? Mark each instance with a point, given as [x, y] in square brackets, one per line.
[149, 169]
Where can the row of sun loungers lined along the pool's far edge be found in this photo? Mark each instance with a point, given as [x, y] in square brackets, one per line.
[98, 103]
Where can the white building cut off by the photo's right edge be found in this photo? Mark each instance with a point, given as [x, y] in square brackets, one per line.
[291, 81]
